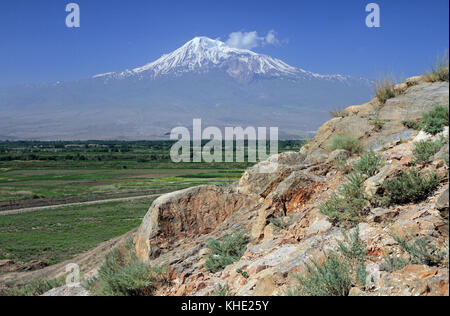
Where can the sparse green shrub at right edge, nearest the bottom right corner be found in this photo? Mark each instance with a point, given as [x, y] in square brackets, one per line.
[421, 251]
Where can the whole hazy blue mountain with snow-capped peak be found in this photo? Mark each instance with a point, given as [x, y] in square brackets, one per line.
[204, 78]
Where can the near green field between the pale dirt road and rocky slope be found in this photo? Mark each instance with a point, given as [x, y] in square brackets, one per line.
[56, 235]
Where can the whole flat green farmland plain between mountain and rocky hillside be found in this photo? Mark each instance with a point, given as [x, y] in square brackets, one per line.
[56, 173]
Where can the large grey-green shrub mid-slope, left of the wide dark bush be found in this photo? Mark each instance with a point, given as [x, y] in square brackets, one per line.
[348, 206]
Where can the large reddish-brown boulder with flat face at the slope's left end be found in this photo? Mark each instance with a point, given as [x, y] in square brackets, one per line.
[183, 214]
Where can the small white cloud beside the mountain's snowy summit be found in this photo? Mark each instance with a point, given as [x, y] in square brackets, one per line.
[249, 40]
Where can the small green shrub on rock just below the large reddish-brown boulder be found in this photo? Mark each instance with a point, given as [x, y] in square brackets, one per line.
[225, 252]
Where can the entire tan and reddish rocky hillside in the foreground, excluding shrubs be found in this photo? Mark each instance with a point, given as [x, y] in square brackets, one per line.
[279, 211]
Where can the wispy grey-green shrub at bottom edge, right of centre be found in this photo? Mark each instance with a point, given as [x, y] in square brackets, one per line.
[331, 278]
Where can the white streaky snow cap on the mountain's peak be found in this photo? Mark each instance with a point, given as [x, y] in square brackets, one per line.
[203, 54]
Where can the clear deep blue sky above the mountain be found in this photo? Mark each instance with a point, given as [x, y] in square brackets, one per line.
[321, 36]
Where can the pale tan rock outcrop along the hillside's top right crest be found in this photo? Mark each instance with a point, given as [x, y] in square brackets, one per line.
[415, 99]
